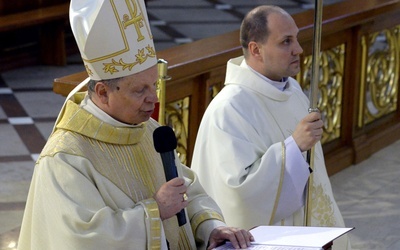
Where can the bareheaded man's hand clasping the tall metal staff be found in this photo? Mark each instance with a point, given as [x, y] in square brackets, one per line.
[309, 131]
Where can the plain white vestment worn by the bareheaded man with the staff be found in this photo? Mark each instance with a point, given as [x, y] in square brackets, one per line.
[241, 158]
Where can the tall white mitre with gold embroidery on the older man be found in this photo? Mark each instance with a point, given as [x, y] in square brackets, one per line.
[113, 37]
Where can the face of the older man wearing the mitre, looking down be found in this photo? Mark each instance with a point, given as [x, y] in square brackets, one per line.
[134, 98]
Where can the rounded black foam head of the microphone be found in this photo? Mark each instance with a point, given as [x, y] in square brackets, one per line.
[164, 139]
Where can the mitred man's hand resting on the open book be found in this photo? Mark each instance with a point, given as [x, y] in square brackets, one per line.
[239, 238]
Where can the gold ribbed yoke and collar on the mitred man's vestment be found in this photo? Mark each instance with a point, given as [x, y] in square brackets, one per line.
[129, 163]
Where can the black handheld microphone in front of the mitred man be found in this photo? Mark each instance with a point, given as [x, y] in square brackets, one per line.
[165, 143]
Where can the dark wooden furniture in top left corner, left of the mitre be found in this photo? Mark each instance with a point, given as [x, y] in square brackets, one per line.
[23, 24]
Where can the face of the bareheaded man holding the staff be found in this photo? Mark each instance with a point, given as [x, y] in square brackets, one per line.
[281, 52]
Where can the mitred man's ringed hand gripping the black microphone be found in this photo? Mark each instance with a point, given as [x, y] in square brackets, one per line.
[171, 198]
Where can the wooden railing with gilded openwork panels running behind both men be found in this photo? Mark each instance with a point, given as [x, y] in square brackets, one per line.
[359, 79]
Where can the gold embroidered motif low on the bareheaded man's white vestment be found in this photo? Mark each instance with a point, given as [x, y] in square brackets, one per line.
[322, 210]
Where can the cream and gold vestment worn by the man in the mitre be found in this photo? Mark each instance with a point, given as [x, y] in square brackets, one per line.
[93, 188]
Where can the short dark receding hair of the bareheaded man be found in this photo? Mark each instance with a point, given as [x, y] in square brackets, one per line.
[254, 26]
